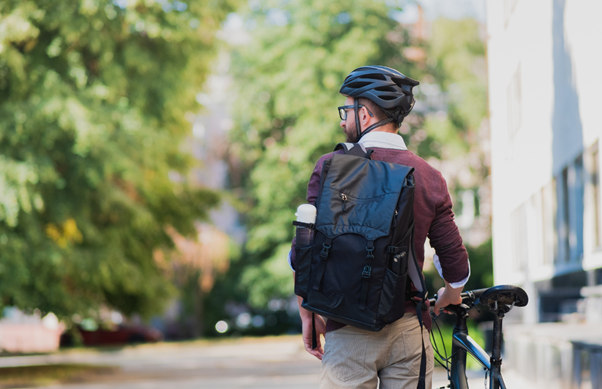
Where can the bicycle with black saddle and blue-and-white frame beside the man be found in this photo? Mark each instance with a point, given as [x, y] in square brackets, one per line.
[500, 300]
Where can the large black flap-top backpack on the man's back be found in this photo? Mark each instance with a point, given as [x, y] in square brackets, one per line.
[356, 272]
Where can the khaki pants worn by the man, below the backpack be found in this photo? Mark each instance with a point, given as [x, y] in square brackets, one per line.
[355, 358]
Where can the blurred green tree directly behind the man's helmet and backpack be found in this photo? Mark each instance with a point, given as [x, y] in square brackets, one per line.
[290, 73]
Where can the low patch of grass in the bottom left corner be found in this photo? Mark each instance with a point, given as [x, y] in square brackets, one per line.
[28, 376]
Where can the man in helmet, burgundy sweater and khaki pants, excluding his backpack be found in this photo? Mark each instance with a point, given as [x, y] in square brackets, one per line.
[377, 100]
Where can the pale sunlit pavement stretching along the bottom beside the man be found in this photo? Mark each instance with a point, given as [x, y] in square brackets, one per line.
[249, 363]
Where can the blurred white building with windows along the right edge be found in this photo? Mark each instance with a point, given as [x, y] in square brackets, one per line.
[545, 96]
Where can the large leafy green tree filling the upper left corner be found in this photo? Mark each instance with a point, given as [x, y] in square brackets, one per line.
[92, 101]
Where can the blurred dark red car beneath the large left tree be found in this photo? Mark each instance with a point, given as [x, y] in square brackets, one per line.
[120, 335]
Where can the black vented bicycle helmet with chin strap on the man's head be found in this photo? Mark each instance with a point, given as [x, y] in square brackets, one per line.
[386, 87]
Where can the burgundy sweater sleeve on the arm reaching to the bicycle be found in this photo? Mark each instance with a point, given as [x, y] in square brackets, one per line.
[445, 238]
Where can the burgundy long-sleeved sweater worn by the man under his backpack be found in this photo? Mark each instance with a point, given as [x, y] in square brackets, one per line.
[433, 217]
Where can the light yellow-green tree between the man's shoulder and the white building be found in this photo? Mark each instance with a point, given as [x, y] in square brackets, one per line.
[456, 66]
